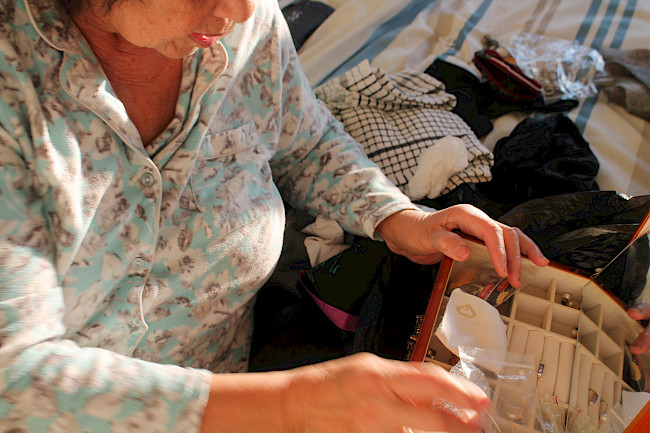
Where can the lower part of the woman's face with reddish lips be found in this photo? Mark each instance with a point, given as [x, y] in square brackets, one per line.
[175, 28]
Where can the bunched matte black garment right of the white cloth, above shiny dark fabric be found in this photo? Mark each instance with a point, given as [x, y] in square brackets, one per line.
[540, 158]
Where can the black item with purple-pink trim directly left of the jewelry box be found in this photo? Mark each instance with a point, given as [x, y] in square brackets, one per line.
[372, 294]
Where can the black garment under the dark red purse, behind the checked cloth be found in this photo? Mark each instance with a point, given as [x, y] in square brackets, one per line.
[478, 103]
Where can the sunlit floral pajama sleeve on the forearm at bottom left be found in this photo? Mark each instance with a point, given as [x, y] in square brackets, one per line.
[58, 384]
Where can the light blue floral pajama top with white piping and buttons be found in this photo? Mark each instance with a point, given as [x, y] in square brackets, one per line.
[127, 273]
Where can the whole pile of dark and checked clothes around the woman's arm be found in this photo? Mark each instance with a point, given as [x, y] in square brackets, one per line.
[424, 131]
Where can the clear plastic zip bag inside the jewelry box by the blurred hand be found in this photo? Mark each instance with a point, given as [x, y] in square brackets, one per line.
[509, 380]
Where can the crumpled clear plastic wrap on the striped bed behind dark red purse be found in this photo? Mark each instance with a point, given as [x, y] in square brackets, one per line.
[565, 69]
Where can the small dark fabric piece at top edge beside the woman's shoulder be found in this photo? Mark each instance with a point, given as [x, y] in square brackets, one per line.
[304, 17]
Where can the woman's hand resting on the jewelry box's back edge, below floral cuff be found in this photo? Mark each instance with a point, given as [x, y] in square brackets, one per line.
[424, 237]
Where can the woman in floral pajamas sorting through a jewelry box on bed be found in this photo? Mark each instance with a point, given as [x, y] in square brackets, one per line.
[143, 148]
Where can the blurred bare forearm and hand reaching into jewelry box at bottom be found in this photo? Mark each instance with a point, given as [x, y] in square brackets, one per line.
[356, 394]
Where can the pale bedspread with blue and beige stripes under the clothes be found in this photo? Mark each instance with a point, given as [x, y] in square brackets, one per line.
[401, 35]
